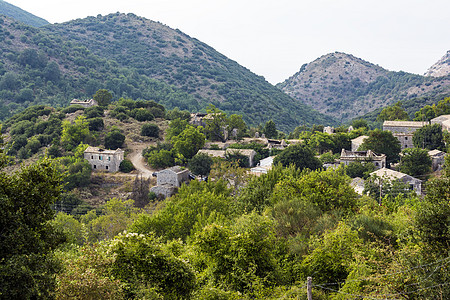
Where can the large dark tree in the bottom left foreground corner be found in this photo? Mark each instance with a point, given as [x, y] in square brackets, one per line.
[27, 265]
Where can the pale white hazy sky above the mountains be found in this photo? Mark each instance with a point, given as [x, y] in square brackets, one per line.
[275, 38]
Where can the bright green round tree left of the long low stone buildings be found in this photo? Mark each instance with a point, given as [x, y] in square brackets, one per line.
[188, 142]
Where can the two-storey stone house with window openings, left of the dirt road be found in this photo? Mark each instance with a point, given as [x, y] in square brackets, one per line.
[106, 160]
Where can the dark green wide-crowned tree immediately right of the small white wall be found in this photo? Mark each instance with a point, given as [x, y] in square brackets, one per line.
[301, 156]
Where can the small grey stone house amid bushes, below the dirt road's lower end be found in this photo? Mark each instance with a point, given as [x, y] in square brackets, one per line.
[169, 180]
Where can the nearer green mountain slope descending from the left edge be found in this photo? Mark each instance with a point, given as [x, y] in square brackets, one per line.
[37, 67]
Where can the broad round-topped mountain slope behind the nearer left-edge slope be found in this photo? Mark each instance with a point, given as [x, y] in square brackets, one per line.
[168, 55]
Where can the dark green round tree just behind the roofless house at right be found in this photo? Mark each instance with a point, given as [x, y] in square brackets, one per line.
[415, 162]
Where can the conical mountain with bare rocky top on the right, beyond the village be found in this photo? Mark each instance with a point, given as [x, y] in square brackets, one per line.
[345, 87]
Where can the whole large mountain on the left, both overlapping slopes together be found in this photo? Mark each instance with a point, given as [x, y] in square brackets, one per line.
[140, 59]
